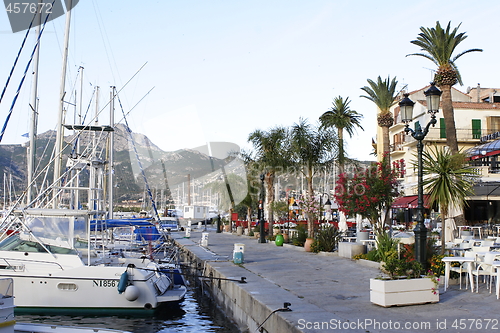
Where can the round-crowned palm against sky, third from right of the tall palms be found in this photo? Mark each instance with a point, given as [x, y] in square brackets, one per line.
[341, 117]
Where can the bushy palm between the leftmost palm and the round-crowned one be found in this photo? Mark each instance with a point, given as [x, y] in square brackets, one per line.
[312, 150]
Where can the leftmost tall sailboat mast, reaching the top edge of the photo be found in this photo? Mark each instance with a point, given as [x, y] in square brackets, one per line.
[34, 113]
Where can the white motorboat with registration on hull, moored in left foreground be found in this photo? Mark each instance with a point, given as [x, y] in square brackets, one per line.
[49, 273]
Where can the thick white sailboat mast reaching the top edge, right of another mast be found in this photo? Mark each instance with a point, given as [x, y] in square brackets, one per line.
[60, 129]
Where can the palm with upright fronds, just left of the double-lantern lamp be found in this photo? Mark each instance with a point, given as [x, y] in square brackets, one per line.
[383, 94]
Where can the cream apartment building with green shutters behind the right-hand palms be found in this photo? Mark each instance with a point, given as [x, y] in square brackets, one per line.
[477, 121]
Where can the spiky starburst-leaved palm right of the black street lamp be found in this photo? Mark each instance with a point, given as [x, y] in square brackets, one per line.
[449, 181]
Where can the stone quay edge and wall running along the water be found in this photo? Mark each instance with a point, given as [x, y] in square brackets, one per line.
[247, 304]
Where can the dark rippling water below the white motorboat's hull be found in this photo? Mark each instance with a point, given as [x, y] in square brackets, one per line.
[197, 313]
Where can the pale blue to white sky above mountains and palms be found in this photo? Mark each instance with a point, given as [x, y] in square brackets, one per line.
[192, 72]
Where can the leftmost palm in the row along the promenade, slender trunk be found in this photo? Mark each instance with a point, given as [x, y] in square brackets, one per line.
[270, 156]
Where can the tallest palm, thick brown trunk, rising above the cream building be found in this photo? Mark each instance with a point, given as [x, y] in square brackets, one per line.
[439, 45]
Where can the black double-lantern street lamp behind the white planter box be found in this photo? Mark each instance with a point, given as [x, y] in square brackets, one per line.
[432, 95]
